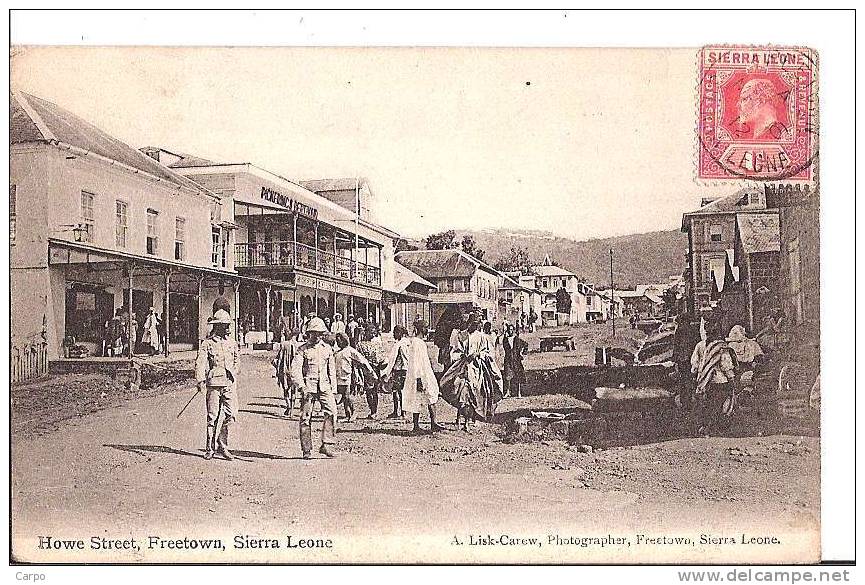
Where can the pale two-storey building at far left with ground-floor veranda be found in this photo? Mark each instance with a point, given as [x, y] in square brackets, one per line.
[97, 226]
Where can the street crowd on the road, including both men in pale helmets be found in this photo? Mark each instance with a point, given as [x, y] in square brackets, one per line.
[330, 365]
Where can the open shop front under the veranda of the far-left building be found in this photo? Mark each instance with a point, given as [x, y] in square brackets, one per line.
[90, 286]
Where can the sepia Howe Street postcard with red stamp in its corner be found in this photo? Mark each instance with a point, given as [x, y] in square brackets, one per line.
[415, 305]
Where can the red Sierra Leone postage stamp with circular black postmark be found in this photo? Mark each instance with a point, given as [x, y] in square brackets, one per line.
[757, 113]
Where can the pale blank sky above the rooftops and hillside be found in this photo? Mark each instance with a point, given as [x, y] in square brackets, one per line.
[583, 143]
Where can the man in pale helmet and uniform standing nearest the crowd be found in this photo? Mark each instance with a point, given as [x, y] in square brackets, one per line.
[313, 370]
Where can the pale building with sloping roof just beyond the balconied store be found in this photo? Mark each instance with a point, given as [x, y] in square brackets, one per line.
[462, 282]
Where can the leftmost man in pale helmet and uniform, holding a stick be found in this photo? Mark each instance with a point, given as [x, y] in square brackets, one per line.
[216, 369]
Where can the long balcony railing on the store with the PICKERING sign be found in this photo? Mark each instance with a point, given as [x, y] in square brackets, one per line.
[294, 255]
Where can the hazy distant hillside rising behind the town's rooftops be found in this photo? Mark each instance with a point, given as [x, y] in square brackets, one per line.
[638, 258]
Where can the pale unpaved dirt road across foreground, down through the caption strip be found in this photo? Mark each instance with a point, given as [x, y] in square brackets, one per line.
[131, 470]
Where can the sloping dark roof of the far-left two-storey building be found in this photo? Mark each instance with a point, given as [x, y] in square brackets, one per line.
[66, 127]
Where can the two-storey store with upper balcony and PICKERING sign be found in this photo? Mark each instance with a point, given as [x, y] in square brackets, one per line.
[325, 256]
